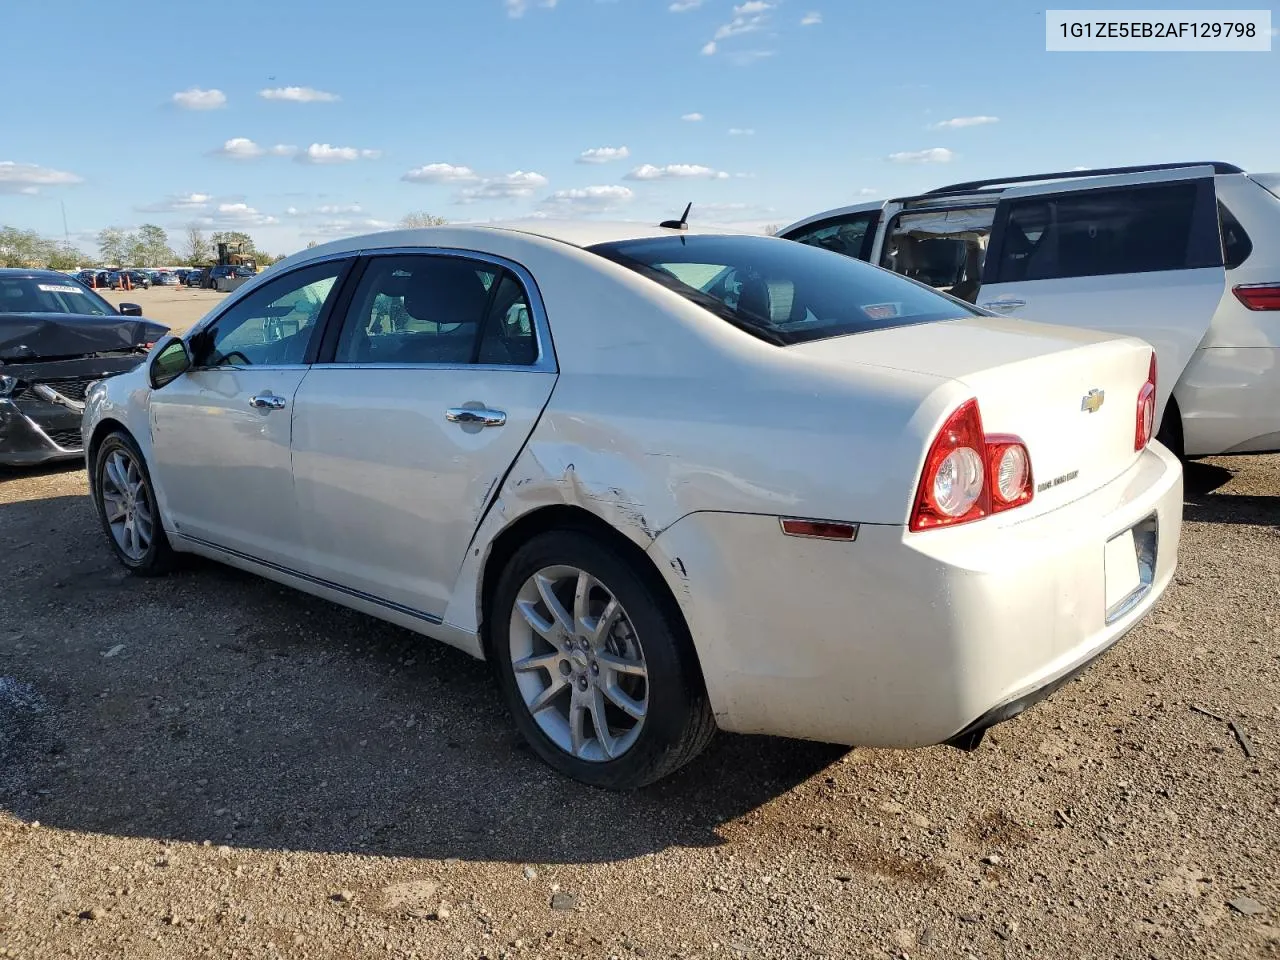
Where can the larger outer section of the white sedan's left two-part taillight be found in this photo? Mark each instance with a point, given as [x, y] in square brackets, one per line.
[954, 484]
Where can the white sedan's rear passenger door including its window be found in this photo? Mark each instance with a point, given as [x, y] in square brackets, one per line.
[431, 388]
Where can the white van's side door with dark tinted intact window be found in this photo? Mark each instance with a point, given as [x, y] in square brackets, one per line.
[1136, 254]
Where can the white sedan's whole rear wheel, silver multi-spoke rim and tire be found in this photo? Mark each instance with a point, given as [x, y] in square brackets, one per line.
[597, 669]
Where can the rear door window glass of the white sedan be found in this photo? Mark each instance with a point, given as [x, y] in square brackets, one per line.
[431, 309]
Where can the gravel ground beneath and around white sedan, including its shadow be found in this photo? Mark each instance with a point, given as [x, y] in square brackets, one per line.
[220, 766]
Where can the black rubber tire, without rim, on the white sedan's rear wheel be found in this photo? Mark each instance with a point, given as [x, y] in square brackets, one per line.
[679, 724]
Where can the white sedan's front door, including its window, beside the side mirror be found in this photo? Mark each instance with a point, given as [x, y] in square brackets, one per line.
[221, 433]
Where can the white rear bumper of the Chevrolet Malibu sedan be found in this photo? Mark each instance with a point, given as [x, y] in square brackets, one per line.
[904, 639]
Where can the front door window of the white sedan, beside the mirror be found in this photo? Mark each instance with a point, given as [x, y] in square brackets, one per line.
[275, 324]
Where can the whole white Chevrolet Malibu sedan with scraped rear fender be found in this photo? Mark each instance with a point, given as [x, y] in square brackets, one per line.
[666, 482]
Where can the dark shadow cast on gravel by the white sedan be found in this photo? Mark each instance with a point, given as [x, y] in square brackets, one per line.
[216, 706]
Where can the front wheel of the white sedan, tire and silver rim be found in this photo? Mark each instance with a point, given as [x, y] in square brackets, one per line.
[127, 508]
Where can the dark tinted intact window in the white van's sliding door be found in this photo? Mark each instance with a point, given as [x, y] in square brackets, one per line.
[1103, 232]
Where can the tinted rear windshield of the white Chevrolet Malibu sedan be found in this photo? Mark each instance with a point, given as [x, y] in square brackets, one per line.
[780, 291]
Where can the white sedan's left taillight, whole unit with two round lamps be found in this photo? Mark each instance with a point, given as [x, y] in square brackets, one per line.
[970, 476]
